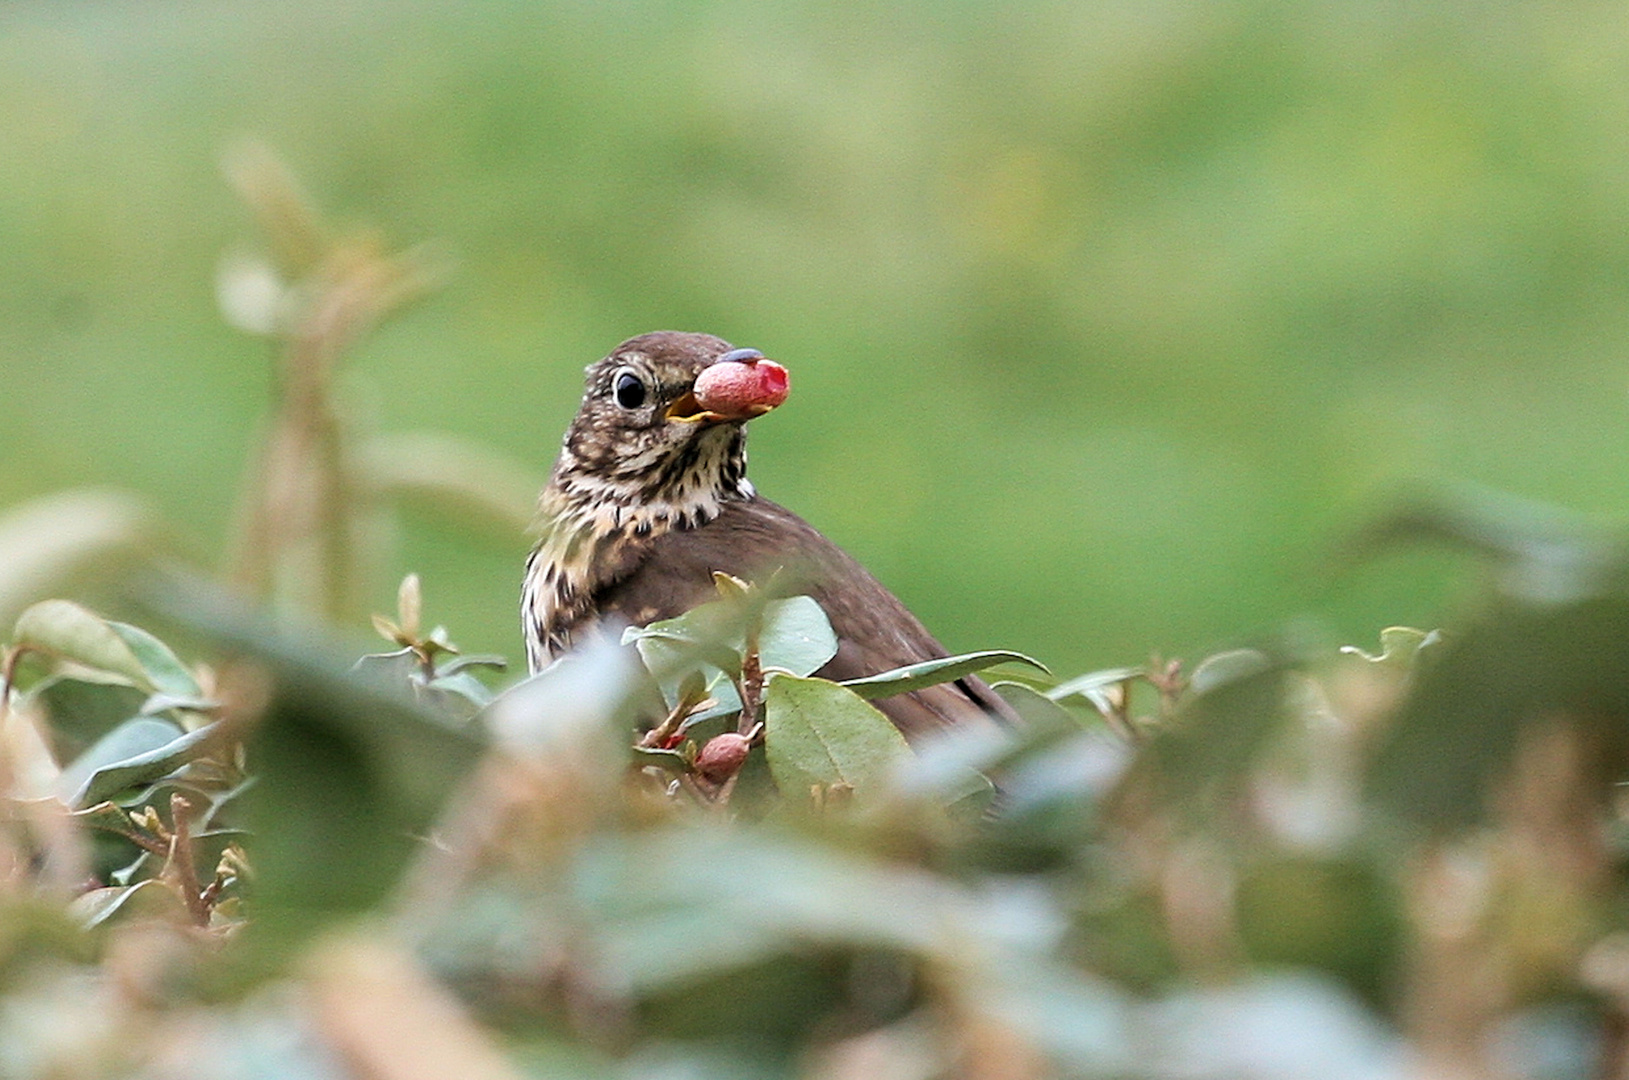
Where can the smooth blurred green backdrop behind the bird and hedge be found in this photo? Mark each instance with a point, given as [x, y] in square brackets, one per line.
[1105, 320]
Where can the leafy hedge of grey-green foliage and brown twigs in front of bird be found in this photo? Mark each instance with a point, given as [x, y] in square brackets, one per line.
[560, 880]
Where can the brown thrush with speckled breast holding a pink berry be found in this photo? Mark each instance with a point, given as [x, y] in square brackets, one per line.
[649, 499]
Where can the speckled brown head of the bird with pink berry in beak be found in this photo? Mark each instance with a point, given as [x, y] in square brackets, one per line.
[662, 421]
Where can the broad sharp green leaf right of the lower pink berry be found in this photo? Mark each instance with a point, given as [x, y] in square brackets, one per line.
[819, 732]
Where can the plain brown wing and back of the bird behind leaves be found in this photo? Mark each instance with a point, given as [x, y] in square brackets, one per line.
[876, 633]
